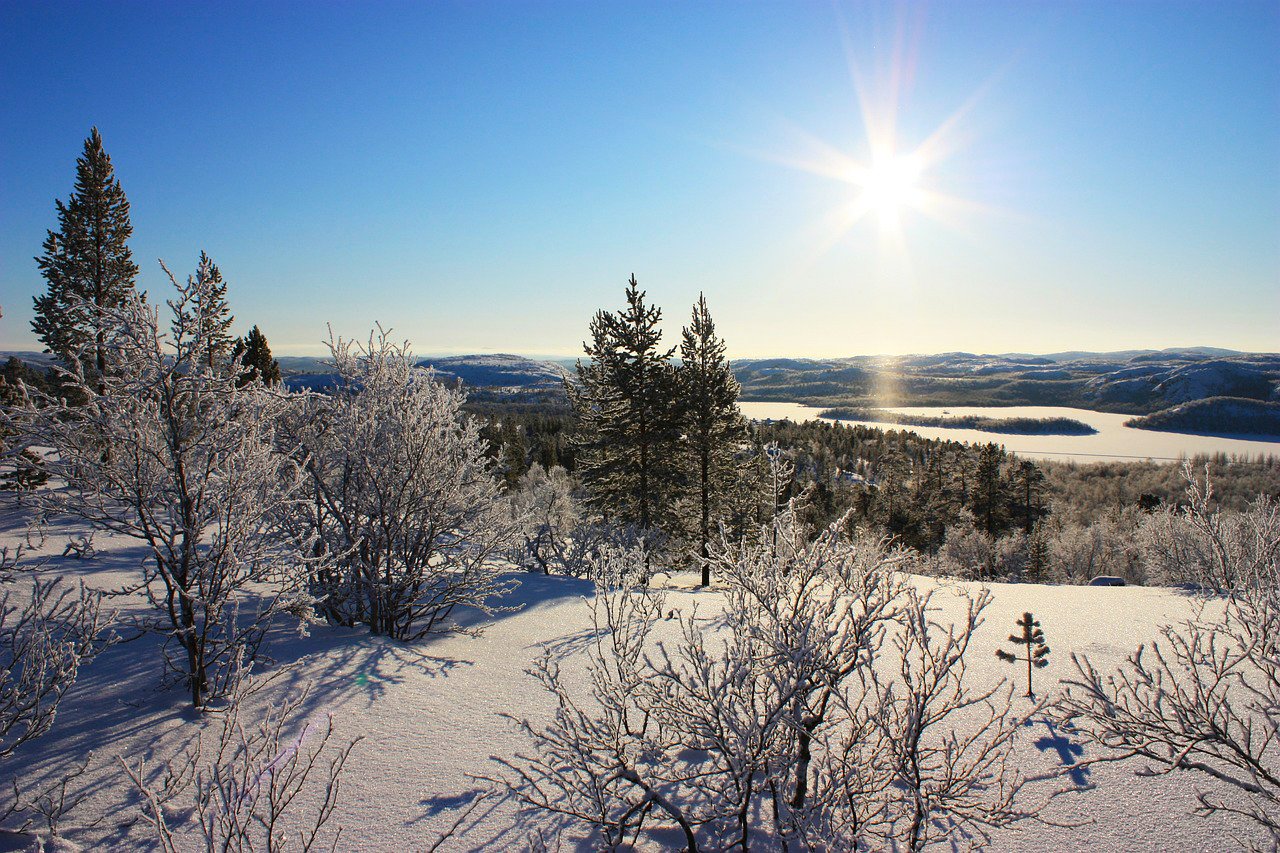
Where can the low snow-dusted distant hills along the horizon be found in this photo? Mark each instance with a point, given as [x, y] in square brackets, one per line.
[1137, 382]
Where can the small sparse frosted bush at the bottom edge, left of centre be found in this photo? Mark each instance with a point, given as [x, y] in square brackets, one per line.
[252, 788]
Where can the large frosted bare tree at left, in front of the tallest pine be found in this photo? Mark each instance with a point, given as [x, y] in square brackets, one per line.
[182, 459]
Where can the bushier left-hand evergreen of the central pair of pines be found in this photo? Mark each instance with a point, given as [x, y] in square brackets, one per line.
[629, 423]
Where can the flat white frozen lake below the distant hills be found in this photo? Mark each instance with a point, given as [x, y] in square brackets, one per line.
[1113, 440]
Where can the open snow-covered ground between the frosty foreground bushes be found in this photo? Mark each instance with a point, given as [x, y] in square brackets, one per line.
[429, 714]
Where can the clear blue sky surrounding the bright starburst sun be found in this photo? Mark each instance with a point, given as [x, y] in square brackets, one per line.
[484, 176]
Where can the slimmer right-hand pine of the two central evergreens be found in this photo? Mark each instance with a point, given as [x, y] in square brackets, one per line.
[712, 422]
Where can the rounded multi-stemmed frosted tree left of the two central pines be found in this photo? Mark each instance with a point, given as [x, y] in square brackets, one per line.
[403, 496]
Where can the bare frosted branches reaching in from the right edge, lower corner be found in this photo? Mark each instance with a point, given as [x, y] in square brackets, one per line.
[1204, 699]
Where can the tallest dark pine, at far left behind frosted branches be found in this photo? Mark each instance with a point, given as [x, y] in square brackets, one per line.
[88, 264]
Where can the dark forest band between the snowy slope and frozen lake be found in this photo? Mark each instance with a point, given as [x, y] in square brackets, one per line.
[975, 509]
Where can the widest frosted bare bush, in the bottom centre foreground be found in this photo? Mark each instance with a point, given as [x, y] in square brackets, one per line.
[825, 709]
